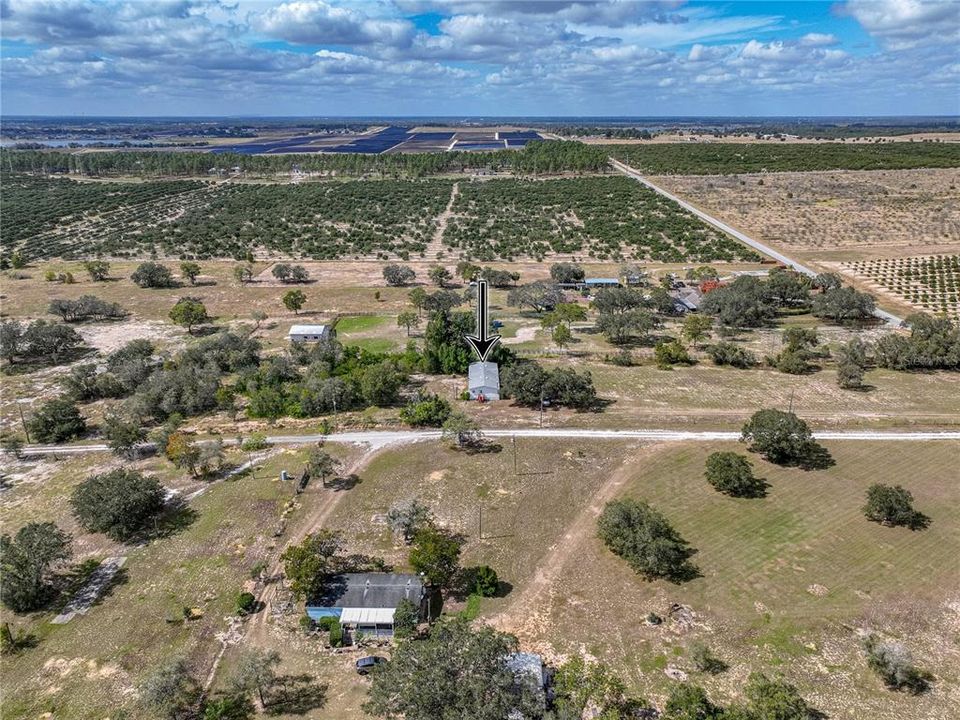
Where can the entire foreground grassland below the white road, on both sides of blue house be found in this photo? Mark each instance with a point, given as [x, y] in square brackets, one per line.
[786, 580]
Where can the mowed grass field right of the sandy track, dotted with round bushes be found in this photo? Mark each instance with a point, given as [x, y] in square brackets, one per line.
[786, 581]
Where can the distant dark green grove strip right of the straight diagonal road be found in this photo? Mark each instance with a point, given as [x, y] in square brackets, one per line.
[731, 158]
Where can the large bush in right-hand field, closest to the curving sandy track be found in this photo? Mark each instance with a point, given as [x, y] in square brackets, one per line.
[646, 540]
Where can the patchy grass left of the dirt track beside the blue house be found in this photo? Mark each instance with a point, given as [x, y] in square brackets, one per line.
[89, 667]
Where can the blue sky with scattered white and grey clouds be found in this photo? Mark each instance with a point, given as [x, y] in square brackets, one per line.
[479, 57]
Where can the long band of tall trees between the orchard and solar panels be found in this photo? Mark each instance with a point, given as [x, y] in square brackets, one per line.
[540, 157]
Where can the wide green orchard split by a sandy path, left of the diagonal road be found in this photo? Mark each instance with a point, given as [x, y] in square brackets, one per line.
[600, 218]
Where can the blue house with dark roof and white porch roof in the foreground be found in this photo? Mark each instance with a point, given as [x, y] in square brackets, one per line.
[366, 602]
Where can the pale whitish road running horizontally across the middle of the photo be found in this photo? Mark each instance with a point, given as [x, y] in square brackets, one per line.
[382, 438]
